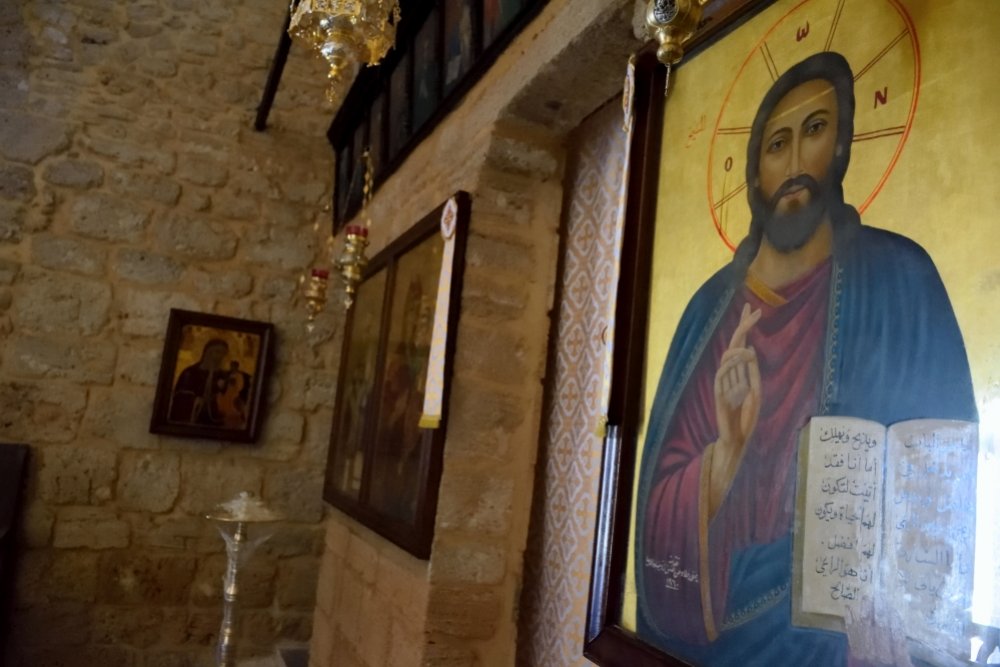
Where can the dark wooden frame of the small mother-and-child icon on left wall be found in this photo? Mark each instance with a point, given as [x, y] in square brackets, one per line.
[159, 422]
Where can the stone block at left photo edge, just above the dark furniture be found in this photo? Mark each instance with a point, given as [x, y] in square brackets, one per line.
[41, 413]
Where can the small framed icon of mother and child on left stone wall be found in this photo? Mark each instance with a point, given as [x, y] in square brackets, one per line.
[213, 376]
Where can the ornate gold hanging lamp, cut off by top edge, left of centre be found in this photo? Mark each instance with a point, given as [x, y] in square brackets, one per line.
[347, 34]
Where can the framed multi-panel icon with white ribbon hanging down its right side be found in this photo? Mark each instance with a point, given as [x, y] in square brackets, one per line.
[386, 443]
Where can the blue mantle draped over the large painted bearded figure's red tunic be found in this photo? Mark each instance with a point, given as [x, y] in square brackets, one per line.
[893, 351]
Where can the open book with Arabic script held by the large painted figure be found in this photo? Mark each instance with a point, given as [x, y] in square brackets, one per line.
[890, 513]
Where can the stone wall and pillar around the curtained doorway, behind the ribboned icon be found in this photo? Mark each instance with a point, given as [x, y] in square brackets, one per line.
[505, 144]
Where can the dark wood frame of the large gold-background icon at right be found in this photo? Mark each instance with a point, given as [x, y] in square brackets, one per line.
[605, 642]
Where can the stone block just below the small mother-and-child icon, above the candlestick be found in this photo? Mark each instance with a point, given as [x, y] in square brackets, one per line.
[209, 481]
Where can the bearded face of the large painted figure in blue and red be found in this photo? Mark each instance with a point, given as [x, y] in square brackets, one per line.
[798, 146]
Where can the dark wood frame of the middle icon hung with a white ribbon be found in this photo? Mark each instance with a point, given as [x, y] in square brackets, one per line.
[415, 537]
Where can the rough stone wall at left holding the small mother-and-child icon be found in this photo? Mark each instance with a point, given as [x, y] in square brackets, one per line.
[131, 182]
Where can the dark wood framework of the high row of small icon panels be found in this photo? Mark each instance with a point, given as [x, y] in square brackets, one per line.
[372, 81]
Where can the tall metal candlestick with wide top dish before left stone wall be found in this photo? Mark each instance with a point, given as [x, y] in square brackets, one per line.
[238, 512]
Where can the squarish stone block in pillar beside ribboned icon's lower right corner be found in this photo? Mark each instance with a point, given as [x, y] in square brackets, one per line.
[475, 503]
